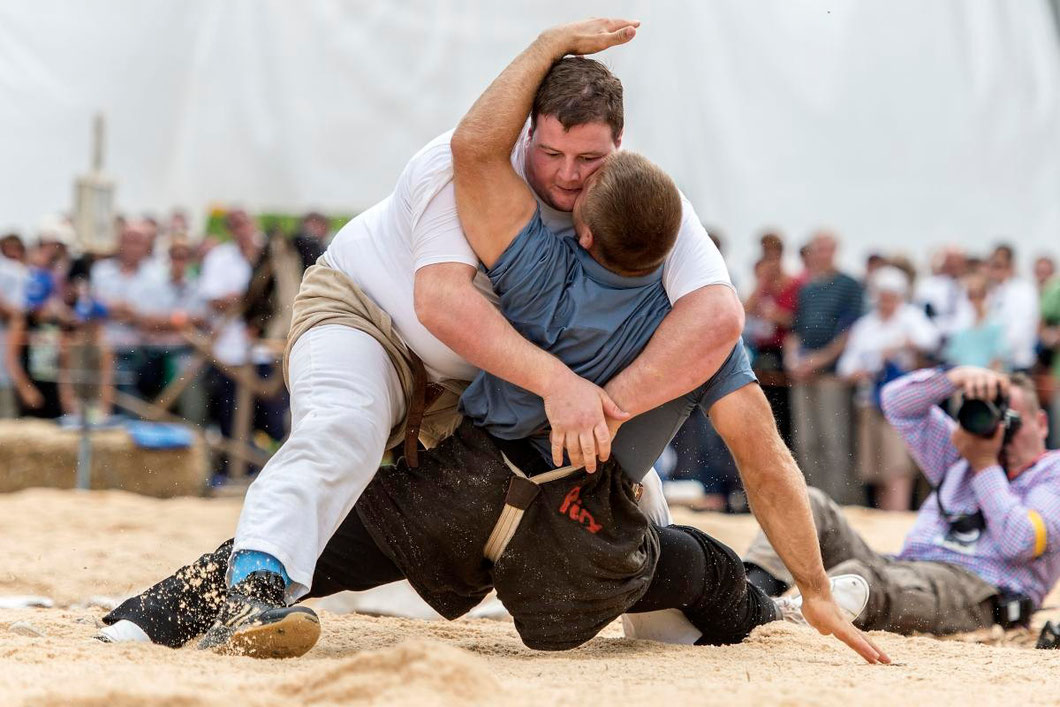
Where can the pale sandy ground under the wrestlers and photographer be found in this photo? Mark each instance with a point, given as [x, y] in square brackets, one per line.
[75, 547]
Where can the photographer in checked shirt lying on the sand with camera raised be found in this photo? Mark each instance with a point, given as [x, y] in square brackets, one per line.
[986, 545]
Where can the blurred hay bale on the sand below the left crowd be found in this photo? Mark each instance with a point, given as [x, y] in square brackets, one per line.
[38, 453]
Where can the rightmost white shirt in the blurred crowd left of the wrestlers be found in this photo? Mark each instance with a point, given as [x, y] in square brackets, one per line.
[227, 273]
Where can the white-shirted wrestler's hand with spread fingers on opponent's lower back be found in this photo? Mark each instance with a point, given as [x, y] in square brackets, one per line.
[579, 413]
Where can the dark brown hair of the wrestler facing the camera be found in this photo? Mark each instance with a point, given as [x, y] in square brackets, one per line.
[578, 91]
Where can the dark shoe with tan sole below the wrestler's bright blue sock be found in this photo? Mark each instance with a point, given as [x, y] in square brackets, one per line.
[255, 622]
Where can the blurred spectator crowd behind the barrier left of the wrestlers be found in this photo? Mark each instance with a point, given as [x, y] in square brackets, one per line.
[82, 334]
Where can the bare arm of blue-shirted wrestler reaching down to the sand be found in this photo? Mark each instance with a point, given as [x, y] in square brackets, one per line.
[778, 497]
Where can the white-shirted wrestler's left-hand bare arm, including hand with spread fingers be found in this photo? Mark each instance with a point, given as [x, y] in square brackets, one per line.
[453, 310]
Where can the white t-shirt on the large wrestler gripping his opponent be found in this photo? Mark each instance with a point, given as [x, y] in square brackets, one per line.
[418, 226]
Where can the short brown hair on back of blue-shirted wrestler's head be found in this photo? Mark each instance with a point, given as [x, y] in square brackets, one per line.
[633, 209]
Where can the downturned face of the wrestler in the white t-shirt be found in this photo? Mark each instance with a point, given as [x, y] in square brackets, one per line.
[559, 162]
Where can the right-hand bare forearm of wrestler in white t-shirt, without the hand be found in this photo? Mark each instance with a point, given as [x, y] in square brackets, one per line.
[690, 346]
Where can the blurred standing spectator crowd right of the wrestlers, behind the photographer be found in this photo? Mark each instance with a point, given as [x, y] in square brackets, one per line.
[824, 343]
